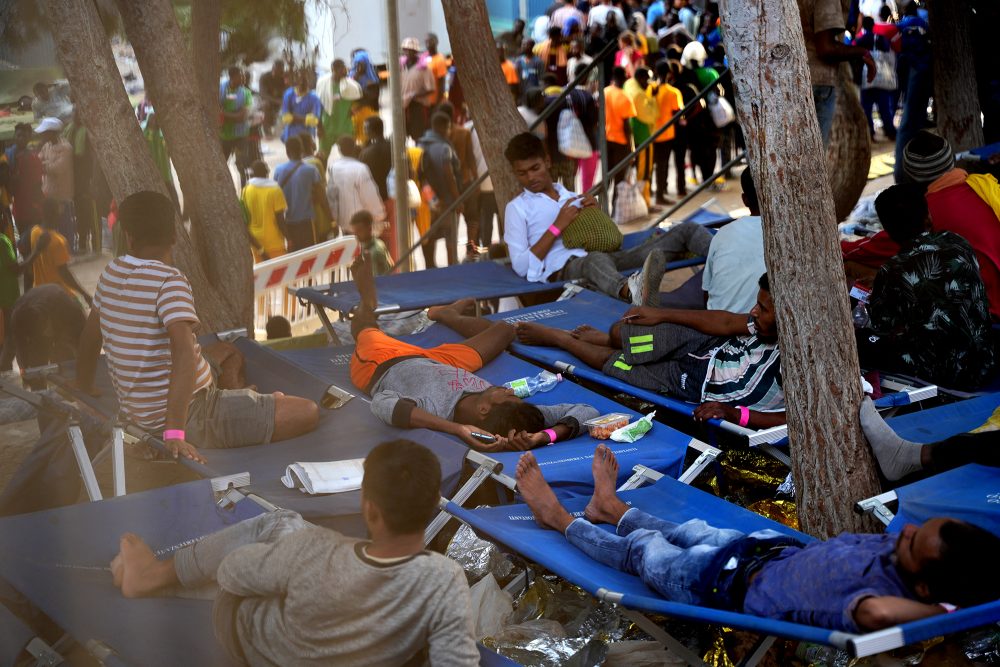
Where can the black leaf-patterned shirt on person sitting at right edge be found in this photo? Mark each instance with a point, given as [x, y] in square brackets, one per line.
[930, 302]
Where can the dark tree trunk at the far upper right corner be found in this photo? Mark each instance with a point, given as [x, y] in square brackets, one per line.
[956, 98]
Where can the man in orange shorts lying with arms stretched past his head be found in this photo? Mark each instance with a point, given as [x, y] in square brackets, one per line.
[436, 388]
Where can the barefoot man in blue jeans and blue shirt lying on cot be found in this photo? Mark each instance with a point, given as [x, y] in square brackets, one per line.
[850, 583]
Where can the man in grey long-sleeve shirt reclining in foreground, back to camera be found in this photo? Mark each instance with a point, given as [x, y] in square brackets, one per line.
[291, 593]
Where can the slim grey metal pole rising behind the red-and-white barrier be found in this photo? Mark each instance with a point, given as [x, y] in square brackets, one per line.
[400, 160]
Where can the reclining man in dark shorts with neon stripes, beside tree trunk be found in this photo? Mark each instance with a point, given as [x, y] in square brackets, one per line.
[729, 363]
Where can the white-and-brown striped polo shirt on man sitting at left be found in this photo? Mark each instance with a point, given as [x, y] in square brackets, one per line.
[137, 299]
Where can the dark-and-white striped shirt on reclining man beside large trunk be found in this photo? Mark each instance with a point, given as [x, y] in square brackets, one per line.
[746, 370]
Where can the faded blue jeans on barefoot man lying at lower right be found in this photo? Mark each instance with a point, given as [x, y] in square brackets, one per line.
[678, 561]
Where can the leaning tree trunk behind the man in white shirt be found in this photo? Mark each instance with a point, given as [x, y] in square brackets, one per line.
[492, 109]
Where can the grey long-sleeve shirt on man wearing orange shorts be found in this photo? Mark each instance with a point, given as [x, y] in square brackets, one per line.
[437, 388]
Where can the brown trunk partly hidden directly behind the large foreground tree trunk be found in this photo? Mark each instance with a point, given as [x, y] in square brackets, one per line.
[849, 154]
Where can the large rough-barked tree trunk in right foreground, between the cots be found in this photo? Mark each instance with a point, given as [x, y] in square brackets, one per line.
[831, 461]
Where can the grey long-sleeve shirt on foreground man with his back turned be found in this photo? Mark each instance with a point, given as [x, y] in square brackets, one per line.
[314, 598]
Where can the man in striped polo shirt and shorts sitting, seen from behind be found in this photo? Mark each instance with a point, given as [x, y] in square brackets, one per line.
[144, 315]
